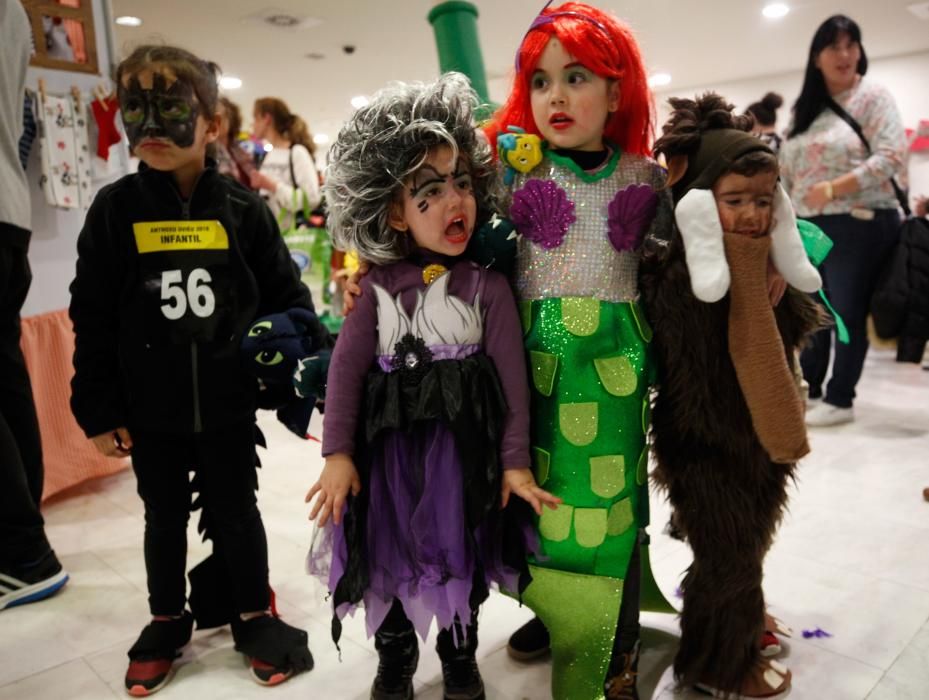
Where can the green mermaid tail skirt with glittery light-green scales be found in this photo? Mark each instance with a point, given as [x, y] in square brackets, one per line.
[591, 369]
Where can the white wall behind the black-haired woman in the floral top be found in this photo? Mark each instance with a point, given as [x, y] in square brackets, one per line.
[907, 77]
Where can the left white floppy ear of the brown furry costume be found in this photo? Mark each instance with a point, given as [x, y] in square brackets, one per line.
[698, 221]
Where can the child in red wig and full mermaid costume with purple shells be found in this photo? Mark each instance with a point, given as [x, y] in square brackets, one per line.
[582, 210]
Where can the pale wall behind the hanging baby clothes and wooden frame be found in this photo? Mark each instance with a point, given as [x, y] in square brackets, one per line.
[52, 251]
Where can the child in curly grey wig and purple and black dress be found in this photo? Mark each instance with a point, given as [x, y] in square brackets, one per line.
[427, 428]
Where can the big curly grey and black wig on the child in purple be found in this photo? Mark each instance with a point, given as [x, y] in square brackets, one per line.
[383, 144]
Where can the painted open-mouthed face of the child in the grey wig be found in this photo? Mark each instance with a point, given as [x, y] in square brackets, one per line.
[438, 206]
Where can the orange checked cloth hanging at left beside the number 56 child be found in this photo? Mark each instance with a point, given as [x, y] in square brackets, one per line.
[70, 458]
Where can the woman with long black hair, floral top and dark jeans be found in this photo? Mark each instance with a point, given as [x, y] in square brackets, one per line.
[843, 185]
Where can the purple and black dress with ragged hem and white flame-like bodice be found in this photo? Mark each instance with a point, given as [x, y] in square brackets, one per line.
[428, 392]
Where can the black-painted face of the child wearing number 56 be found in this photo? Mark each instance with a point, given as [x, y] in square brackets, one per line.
[162, 118]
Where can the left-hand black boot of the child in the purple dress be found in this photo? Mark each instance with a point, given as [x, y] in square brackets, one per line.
[398, 655]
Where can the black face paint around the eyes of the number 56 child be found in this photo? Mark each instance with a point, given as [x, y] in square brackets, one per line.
[163, 112]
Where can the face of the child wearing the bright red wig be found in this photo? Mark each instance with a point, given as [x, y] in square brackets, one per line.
[570, 103]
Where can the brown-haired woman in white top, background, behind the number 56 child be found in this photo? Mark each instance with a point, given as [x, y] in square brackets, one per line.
[287, 177]
